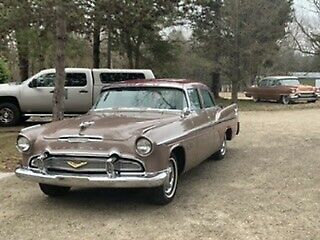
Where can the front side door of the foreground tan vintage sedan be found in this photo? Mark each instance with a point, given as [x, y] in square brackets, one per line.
[201, 123]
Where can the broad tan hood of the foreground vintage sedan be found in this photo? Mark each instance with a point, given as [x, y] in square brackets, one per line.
[110, 126]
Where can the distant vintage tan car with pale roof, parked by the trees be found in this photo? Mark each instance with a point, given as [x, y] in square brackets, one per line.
[284, 89]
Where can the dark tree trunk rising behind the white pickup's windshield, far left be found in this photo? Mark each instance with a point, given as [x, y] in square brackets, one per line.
[23, 55]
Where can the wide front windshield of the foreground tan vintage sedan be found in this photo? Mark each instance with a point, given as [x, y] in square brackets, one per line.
[149, 97]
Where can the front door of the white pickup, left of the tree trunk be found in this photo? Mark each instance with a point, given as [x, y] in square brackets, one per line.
[36, 95]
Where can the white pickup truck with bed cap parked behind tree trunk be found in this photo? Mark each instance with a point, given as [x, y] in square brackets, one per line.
[33, 97]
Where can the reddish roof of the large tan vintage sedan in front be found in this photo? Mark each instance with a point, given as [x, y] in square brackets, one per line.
[167, 82]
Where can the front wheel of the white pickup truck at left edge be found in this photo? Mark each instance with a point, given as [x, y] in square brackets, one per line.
[9, 114]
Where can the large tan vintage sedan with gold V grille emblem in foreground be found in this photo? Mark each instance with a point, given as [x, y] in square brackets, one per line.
[139, 134]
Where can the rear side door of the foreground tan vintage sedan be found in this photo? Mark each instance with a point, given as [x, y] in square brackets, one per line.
[211, 109]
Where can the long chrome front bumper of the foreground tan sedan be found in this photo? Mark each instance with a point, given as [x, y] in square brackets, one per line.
[145, 180]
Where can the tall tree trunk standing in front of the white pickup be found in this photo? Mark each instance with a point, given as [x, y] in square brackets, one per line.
[61, 39]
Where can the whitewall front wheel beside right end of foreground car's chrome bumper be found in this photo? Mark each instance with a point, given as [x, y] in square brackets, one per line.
[164, 194]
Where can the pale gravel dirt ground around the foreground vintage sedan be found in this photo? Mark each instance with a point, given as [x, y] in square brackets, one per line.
[268, 187]
